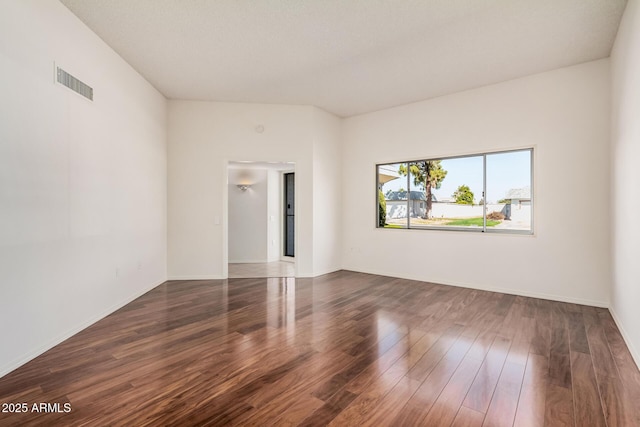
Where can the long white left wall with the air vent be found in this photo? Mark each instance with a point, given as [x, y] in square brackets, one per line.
[82, 184]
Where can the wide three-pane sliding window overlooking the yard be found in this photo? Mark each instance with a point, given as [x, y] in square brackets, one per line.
[490, 192]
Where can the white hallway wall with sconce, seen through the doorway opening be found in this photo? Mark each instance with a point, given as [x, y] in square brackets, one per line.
[248, 226]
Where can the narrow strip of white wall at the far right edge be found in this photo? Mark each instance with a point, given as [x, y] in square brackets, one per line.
[625, 135]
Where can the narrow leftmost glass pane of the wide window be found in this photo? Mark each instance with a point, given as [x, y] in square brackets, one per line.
[392, 196]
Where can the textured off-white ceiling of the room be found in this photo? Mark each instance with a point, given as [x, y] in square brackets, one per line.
[346, 56]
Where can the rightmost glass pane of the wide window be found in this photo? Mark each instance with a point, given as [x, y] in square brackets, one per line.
[509, 190]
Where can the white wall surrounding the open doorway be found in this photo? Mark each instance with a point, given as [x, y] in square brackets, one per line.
[203, 137]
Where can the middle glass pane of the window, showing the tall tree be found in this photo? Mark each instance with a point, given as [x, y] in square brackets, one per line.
[454, 187]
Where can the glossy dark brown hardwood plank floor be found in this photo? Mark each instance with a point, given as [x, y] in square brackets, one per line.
[342, 349]
